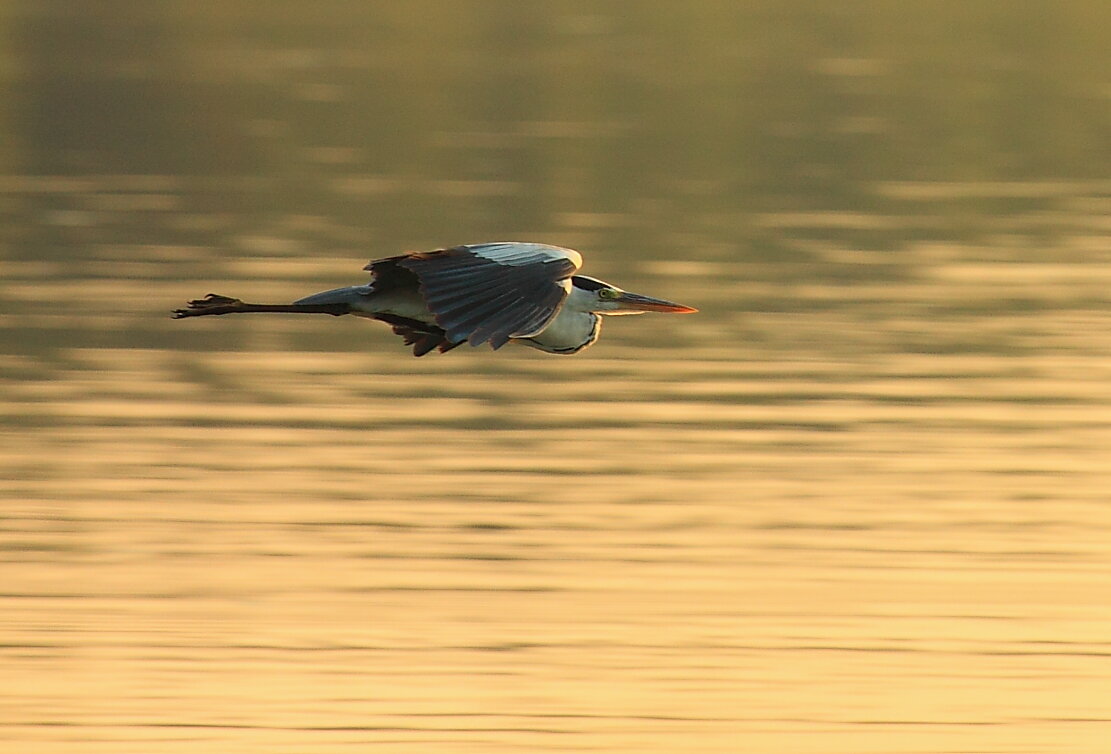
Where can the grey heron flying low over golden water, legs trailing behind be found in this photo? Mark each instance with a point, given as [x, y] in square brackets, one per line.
[495, 294]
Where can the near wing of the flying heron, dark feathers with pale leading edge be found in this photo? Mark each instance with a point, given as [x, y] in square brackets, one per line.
[488, 293]
